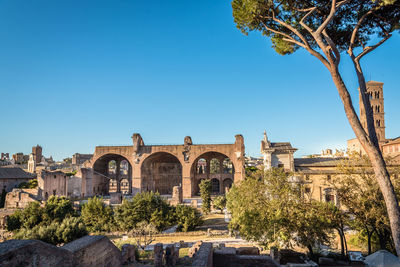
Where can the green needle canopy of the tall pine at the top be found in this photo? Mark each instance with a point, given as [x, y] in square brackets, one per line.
[290, 23]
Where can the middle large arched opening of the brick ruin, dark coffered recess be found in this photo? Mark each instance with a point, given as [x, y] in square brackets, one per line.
[160, 173]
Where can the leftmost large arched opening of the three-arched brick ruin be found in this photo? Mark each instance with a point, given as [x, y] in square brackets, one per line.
[108, 173]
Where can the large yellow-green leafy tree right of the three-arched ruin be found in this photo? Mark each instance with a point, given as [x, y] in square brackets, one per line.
[268, 208]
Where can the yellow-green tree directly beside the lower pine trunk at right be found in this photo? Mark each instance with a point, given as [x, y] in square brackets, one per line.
[359, 193]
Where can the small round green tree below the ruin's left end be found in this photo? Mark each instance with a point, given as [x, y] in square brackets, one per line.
[96, 215]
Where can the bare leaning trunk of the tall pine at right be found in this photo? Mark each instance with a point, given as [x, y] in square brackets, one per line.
[375, 156]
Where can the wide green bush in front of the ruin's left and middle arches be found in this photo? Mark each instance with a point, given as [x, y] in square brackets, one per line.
[147, 206]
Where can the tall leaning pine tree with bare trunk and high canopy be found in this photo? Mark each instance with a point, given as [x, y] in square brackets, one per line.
[326, 31]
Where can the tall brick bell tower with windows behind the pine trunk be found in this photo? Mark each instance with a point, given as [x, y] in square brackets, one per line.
[375, 94]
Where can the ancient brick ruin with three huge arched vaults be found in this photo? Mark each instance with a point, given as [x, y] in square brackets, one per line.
[158, 168]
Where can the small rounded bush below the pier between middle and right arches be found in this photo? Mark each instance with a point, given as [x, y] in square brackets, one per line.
[188, 218]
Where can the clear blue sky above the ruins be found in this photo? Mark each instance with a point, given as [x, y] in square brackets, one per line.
[75, 74]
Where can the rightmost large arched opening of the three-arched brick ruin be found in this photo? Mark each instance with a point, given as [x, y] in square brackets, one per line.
[217, 166]
